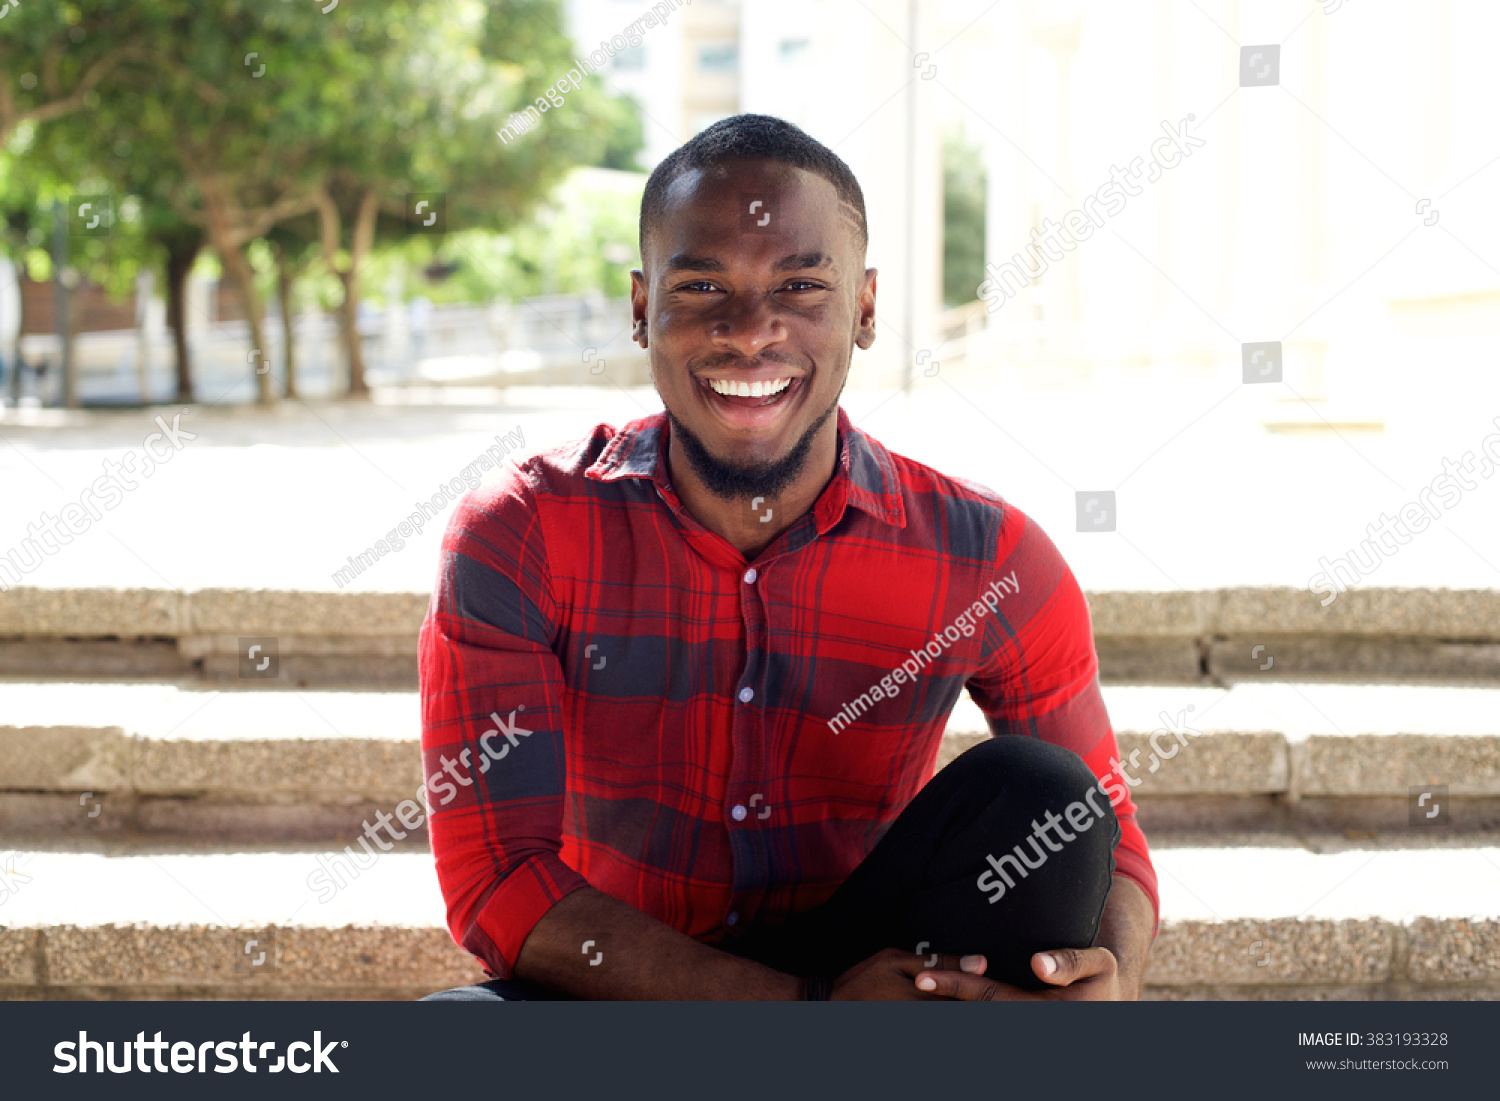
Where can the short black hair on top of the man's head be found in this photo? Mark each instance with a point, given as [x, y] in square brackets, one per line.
[754, 137]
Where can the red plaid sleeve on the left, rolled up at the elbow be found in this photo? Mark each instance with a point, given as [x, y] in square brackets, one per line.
[493, 742]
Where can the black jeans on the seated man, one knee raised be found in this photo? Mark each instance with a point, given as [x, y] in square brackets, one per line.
[998, 817]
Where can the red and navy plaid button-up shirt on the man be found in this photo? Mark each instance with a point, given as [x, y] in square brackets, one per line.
[613, 695]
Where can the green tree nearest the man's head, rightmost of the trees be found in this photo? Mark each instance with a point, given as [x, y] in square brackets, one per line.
[421, 119]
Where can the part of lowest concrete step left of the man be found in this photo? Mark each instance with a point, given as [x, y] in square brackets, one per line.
[92, 926]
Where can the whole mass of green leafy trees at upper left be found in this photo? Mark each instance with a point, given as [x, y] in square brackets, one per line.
[229, 121]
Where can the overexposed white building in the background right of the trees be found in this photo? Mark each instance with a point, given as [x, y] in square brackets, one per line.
[1340, 206]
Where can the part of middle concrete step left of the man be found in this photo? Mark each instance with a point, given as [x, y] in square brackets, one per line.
[104, 760]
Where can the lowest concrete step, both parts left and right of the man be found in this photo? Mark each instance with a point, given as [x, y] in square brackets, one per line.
[1243, 922]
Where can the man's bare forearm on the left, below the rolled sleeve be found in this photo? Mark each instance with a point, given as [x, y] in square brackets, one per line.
[643, 958]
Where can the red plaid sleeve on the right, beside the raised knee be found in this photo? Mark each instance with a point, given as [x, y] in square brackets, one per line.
[1042, 679]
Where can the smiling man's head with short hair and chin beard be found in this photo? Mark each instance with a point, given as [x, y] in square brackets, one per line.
[752, 245]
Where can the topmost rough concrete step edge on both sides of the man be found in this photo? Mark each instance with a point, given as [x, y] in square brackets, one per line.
[371, 638]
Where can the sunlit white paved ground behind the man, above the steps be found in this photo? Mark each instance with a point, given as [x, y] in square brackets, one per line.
[1207, 496]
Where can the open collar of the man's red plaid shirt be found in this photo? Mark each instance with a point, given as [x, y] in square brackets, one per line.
[865, 476]
